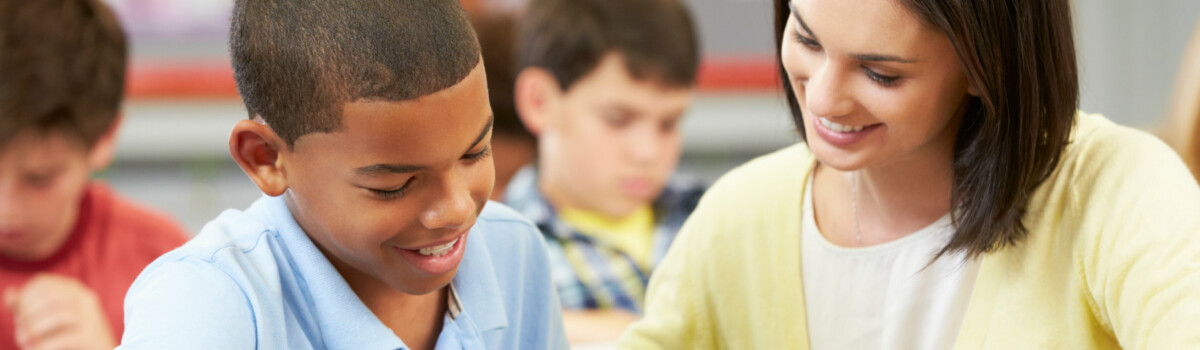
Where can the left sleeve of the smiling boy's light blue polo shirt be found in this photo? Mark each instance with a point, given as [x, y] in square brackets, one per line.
[188, 305]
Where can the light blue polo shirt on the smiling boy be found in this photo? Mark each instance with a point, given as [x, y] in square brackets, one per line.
[255, 281]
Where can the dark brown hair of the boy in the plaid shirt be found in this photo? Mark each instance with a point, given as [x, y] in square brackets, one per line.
[569, 39]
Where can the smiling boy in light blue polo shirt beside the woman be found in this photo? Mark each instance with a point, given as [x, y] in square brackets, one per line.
[369, 135]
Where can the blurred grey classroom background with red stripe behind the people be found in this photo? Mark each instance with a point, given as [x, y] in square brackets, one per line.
[182, 101]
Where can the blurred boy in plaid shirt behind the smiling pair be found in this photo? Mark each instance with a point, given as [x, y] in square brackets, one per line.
[603, 86]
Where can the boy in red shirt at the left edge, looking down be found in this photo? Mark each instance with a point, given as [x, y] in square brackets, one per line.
[70, 248]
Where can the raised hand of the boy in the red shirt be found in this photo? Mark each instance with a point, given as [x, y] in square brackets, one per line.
[56, 312]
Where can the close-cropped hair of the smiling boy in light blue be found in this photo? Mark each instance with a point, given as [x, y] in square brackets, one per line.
[298, 63]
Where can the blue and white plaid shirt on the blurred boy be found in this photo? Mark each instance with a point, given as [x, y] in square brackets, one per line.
[591, 274]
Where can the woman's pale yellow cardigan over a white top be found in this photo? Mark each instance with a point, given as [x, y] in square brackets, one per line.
[1112, 262]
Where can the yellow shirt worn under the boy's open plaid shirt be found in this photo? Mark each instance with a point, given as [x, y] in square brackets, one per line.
[634, 236]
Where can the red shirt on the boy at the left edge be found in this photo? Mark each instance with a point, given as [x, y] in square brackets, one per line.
[112, 243]
